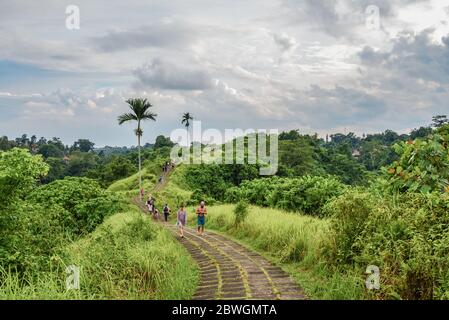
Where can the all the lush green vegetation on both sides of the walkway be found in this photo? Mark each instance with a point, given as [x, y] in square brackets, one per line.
[335, 207]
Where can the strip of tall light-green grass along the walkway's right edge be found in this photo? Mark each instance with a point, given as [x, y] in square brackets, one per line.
[295, 242]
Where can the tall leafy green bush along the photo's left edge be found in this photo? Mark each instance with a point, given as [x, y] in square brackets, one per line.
[27, 236]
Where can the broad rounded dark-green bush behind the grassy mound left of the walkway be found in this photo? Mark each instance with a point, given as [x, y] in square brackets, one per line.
[34, 229]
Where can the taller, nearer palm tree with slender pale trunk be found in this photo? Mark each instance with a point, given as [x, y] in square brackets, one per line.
[140, 112]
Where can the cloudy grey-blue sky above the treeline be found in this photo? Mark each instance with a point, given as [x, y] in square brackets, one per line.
[316, 65]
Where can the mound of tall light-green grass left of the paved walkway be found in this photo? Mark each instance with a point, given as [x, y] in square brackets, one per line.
[127, 257]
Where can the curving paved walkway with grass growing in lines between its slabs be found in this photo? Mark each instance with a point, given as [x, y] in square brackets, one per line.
[230, 271]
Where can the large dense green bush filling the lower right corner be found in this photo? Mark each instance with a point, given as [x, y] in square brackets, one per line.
[406, 236]
